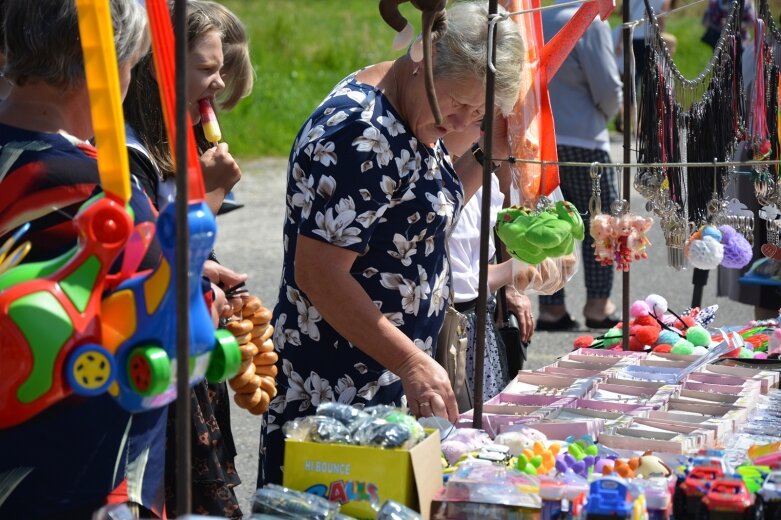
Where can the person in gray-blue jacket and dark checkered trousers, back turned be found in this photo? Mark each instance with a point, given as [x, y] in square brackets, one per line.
[585, 93]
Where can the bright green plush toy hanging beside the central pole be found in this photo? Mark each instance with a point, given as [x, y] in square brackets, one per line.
[534, 236]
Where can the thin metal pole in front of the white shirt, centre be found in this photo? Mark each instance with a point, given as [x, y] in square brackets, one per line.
[485, 233]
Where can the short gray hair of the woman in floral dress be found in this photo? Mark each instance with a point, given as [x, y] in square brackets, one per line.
[462, 50]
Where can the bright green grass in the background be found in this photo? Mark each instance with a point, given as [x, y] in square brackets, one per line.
[301, 49]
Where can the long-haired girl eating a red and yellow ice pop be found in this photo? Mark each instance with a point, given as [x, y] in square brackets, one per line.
[219, 68]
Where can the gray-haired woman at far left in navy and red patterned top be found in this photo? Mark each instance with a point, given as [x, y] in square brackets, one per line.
[81, 452]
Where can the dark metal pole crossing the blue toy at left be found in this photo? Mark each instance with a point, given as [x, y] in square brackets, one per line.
[183, 411]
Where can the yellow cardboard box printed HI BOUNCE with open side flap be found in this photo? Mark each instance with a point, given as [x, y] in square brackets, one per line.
[360, 477]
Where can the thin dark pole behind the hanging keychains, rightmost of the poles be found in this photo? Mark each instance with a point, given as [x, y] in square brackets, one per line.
[629, 83]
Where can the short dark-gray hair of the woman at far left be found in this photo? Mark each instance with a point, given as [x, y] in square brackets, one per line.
[42, 40]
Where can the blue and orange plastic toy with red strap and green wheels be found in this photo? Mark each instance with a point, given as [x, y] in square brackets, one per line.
[145, 345]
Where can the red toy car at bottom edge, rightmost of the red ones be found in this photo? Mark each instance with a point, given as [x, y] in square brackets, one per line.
[730, 499]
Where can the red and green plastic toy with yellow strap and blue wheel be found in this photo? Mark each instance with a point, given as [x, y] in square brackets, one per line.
[50, 331]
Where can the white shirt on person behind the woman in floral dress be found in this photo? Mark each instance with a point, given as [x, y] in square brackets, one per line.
[464, 243]
